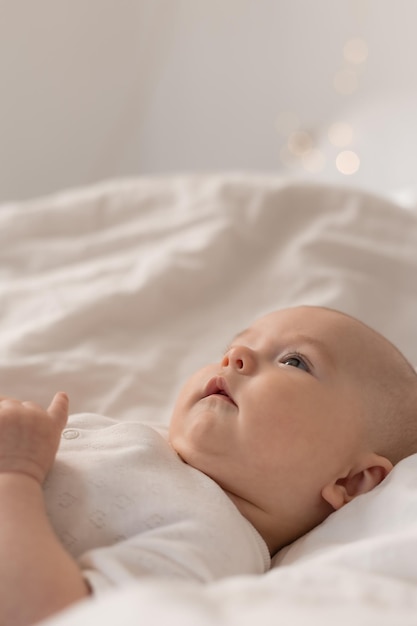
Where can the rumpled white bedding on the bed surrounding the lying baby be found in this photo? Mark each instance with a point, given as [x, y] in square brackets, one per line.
[117, 291]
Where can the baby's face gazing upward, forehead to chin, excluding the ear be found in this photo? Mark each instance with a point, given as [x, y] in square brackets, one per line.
[280, 413]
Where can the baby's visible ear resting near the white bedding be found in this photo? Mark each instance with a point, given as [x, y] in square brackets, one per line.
[361, 479]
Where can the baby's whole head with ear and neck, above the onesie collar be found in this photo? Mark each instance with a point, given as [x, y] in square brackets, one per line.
[307, 409]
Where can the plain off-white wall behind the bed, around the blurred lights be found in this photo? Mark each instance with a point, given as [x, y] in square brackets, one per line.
[92, 89]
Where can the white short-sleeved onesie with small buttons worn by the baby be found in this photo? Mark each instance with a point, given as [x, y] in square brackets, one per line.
[125, 505]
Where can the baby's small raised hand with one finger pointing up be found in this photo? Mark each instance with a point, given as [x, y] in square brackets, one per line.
[29, 435]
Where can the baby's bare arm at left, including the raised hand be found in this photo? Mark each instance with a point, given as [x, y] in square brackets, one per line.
[37, 576]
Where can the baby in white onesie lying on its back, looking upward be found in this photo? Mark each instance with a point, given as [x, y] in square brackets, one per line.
[307, 409]
